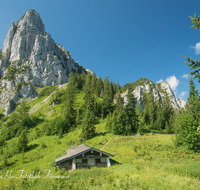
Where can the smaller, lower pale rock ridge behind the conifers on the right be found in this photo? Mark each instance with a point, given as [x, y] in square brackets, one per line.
[145, 85]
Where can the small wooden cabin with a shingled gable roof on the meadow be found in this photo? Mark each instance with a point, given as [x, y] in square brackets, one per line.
[83, 156]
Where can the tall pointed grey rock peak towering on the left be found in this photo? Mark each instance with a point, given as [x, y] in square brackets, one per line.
[30, 57]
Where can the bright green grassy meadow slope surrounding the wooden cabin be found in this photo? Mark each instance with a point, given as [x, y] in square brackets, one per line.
[146, 162]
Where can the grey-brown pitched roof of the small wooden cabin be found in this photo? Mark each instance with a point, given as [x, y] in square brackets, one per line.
[77, 150]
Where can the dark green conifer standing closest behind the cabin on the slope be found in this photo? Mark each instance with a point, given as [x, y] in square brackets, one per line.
[88, 128]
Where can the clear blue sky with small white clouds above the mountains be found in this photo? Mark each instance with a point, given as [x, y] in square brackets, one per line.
[123, 39]
